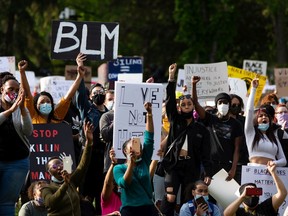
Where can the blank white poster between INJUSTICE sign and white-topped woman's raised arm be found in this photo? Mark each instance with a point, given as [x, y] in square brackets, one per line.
[238, 87]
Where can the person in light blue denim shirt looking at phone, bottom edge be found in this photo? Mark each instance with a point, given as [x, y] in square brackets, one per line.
[193, 192]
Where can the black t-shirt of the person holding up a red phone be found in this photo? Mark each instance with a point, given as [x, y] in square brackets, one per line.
[263, 209]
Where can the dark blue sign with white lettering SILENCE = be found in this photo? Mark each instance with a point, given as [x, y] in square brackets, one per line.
[124, 65]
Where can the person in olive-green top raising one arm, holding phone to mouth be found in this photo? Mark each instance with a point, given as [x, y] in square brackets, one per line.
[61, 196]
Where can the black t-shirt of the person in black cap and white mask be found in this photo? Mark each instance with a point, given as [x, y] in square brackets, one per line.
[227, 131]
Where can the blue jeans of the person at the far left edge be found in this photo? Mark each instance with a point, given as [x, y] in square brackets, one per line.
[12, 178]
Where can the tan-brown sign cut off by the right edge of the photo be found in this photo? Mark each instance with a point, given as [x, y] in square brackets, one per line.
[281, 81]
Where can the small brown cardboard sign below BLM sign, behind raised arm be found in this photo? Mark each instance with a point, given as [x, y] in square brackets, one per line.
[71, 74]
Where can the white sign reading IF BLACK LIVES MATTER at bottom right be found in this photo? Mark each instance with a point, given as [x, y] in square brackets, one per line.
[261, 177]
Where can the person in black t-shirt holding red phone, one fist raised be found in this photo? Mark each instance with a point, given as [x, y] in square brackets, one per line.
[251, 205]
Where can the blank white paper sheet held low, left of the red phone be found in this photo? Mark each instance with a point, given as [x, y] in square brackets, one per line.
[223, 191]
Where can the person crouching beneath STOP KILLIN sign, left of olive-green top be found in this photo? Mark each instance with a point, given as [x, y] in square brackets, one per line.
[35, 207]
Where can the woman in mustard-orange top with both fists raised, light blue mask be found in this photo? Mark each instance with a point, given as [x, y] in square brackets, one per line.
[41, 107]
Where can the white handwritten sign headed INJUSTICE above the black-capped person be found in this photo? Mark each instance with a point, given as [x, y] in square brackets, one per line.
[214, 79]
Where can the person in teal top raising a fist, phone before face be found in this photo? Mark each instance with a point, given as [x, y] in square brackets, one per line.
[133, 177]
